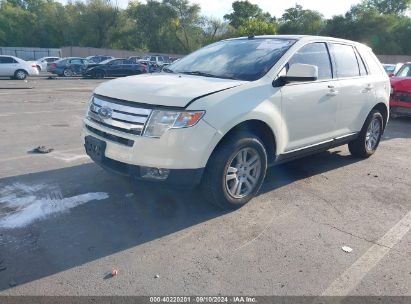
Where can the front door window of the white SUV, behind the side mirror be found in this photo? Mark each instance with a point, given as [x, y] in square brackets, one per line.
[314, 54]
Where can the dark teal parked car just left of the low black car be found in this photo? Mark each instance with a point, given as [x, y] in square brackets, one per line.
[67, 67]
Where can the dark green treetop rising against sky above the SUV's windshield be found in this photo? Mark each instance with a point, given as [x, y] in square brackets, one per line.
[244, 11]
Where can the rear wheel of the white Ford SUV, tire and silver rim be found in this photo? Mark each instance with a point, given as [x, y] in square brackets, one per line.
[369, 138]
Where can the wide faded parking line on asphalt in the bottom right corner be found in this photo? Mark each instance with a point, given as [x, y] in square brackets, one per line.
[353, 276]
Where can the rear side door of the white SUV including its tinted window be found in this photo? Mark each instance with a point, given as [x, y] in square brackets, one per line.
[356, 88]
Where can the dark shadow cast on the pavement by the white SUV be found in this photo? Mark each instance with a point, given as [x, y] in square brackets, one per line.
[132, 215]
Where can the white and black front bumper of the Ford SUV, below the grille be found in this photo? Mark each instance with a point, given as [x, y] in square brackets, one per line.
[184, 152]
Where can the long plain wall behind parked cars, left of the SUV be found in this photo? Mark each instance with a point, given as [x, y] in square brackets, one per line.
[75, 51]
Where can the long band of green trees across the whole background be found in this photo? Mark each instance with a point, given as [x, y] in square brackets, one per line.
[177, 26]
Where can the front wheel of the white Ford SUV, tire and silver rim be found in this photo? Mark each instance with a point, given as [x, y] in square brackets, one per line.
[235, 171]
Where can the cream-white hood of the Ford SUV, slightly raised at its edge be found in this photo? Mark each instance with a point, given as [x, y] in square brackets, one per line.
[173, 90]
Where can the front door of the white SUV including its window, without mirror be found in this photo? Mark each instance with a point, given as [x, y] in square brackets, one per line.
[310, 108]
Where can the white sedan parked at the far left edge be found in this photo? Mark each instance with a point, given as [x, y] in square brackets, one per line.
[16, 68]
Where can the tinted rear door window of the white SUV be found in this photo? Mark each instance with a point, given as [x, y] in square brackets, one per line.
[345, 60]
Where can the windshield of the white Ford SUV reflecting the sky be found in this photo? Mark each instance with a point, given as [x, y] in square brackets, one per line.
[243, 59]
